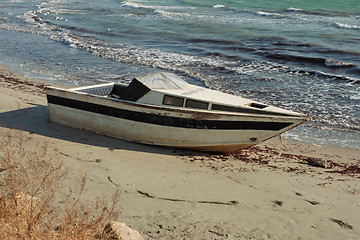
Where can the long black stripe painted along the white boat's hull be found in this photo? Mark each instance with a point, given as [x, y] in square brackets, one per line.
[166, 120]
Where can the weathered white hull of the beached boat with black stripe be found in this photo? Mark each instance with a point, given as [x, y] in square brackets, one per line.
[164, 126]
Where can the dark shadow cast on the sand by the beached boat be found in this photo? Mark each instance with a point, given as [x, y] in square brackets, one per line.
[35, 120]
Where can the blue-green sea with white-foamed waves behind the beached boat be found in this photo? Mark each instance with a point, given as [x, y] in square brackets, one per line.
[299, 55]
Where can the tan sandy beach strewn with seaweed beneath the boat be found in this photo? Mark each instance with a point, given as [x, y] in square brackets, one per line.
[260, 193]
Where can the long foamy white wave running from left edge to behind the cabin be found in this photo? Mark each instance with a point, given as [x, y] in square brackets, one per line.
[124, 53]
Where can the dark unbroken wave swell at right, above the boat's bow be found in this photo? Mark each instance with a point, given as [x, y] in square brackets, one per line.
[282, 52]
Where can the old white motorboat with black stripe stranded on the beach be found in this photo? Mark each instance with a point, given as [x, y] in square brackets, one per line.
[163, 109]
